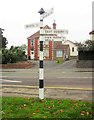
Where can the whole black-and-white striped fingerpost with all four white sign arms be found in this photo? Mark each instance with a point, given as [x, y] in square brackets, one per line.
[43, 36]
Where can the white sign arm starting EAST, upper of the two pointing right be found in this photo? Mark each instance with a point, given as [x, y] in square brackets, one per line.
[53, 31]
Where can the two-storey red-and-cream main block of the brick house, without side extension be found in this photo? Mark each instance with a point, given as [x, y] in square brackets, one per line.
[33, 46]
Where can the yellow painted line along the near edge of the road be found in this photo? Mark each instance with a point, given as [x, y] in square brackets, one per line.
[49, 87]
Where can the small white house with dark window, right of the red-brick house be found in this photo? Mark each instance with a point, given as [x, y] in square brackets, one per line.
[73, 48]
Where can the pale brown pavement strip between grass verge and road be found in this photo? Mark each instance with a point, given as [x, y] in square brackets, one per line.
[49, 92]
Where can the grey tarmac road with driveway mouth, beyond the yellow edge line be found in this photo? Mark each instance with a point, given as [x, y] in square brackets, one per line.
[57, 75]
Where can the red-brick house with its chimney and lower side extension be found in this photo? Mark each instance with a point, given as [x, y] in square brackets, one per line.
[49, 47]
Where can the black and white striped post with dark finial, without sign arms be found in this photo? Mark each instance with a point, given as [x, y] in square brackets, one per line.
[41, 70]
